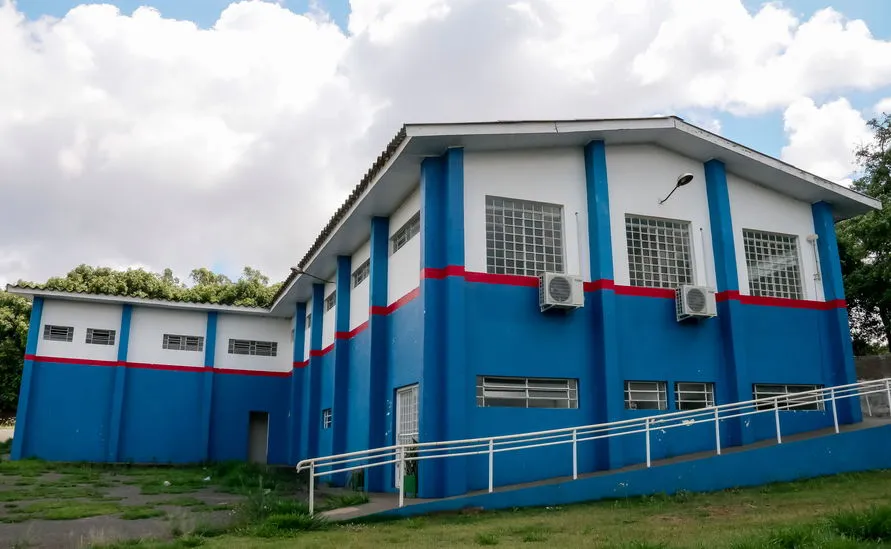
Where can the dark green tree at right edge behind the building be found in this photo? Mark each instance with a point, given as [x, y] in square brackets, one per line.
[865, 246]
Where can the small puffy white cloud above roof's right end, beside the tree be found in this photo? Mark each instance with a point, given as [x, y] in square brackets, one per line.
[822, 139]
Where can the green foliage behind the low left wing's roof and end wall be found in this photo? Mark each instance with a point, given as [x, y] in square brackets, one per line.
[252, 289]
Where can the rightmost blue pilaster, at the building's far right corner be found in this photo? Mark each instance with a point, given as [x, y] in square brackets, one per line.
[841, 351]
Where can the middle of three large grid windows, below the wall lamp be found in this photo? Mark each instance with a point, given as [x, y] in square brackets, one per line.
[658, 252]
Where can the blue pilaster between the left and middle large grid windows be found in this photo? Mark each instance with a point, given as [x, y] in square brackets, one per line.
[606, 402]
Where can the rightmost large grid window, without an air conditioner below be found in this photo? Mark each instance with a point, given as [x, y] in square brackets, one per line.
[772, 263]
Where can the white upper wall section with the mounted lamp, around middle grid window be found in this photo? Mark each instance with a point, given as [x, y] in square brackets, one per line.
[639, 177]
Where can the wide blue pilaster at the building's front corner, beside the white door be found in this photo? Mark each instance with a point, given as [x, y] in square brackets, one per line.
[445, 358]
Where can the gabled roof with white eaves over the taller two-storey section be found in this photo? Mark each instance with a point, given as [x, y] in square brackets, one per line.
[398, 165]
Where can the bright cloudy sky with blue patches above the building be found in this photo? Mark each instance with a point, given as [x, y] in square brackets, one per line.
[211, 133]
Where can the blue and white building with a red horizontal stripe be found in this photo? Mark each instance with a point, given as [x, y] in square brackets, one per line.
[416, 313]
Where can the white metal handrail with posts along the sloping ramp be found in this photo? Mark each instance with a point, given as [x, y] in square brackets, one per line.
[396, 454]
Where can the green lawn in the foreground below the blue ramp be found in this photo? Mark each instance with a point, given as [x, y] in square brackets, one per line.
[852, 510]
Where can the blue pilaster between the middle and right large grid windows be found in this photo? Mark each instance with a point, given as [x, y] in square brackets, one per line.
[734, 384]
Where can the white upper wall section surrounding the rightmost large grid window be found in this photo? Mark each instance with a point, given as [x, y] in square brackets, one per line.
[758, 208]
